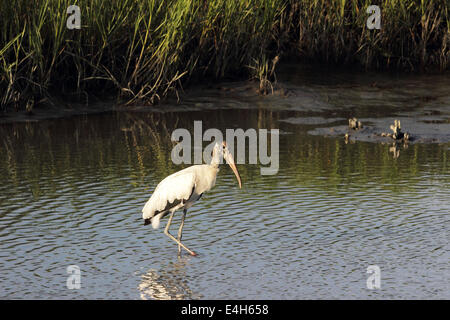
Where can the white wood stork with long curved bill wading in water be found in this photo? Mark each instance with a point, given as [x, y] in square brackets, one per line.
[181, 189]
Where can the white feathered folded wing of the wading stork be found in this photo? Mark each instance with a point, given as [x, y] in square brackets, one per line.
[169, 193]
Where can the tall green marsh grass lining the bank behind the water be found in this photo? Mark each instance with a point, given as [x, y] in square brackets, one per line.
[143, 50]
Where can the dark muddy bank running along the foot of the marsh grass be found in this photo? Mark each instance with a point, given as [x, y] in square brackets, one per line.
[318, 101]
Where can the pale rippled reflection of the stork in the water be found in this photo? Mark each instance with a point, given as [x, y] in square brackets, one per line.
[169, 283]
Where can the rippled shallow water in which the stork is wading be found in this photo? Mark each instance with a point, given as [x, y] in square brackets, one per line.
[72, 191]
